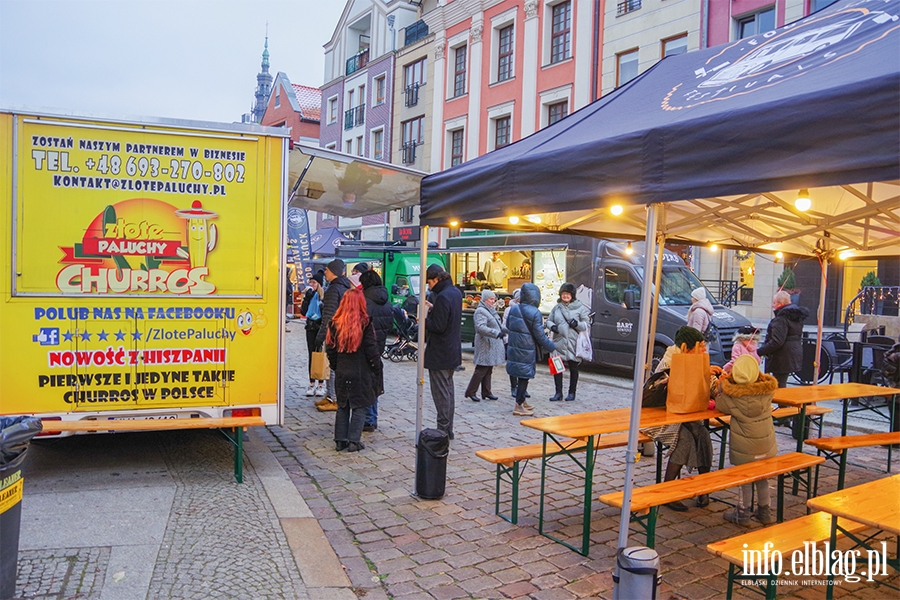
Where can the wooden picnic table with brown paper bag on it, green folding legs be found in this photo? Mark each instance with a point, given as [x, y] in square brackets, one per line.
[588, 426]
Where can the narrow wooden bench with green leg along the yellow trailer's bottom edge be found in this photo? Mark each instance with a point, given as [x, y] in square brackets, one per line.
[95, 425]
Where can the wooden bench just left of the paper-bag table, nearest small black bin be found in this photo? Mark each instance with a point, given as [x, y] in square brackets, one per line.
[508, 459]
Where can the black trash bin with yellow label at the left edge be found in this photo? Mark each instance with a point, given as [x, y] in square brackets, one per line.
[15, 434]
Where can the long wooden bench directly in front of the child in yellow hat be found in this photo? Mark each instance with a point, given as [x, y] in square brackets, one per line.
[646, 500]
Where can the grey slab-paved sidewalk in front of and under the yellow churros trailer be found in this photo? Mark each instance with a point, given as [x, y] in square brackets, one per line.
[159, 515]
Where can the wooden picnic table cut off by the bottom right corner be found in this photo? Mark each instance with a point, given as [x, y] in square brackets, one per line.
[876, 504]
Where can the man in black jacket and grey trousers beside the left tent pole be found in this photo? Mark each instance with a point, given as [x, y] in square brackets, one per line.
[443, 347]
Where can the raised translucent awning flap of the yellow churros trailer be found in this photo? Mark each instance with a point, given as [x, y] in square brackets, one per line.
[349, 186]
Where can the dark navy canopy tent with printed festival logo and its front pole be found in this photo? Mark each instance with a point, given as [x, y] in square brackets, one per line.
[713, 146]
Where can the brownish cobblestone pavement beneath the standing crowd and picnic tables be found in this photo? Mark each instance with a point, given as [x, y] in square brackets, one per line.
[394, 545]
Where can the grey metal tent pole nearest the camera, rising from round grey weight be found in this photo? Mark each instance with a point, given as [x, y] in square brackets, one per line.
[641, 349]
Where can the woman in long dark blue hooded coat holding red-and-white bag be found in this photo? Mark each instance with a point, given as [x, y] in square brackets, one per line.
[526, 333]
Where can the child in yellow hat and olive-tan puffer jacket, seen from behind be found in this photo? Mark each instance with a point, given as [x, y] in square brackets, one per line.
[746, 395]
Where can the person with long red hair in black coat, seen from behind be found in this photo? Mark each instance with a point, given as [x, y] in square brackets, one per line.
[352, 349]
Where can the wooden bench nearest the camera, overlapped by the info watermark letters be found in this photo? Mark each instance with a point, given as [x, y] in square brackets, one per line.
[784, 538]
